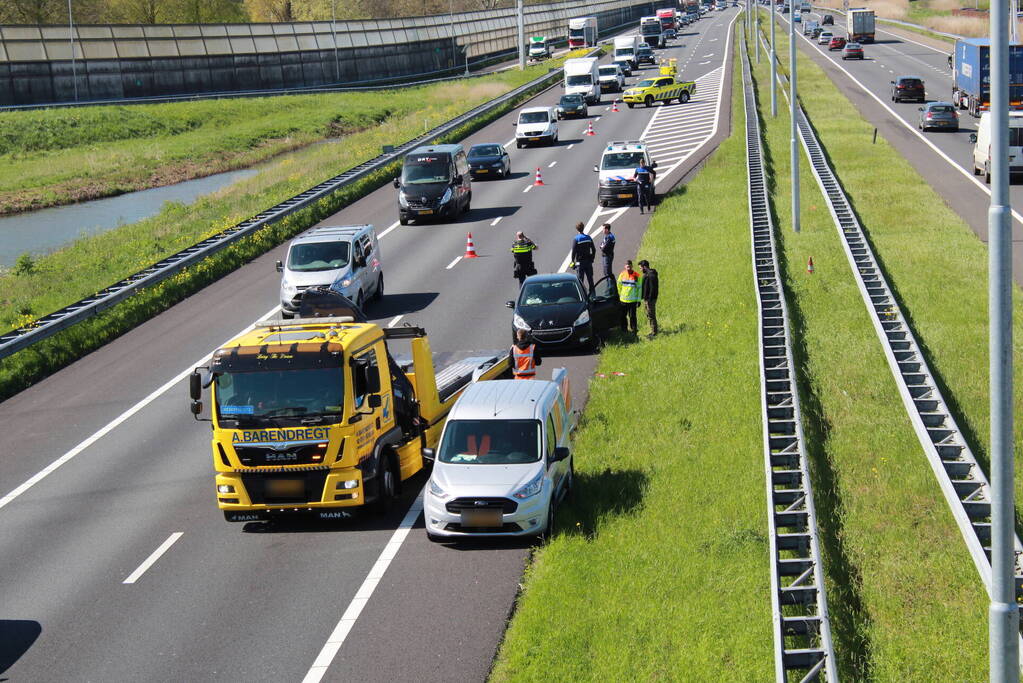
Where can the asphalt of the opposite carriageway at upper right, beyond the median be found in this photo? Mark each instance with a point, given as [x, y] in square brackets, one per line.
[945, 159]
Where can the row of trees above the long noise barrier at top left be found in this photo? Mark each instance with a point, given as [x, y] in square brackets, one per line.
[225, 12]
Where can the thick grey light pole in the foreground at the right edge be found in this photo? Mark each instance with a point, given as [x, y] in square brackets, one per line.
[1003, 613]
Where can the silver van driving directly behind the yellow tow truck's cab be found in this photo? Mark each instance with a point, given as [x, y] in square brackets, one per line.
[347, 259]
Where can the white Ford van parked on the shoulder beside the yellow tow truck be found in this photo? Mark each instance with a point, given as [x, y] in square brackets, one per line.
[503, 465]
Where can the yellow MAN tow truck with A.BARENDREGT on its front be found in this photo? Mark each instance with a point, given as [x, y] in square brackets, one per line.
[317, 416]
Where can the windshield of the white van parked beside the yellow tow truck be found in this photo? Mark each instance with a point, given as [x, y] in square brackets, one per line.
[491, 442]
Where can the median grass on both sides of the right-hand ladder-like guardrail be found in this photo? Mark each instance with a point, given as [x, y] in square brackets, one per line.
[907, 603]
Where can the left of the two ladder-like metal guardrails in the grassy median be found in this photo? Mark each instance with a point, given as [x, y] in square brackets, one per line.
[800, 622]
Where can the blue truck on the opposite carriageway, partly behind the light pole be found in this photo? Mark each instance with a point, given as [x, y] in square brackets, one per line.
[972, 75]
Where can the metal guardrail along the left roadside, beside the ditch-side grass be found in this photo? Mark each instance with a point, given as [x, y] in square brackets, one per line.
[60, 321]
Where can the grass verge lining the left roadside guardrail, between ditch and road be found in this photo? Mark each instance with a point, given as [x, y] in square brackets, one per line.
[93, 263]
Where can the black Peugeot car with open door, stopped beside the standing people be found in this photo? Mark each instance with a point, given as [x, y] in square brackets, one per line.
[557, 313]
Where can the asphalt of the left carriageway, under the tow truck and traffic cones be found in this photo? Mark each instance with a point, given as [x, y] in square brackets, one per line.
[115, 563]
